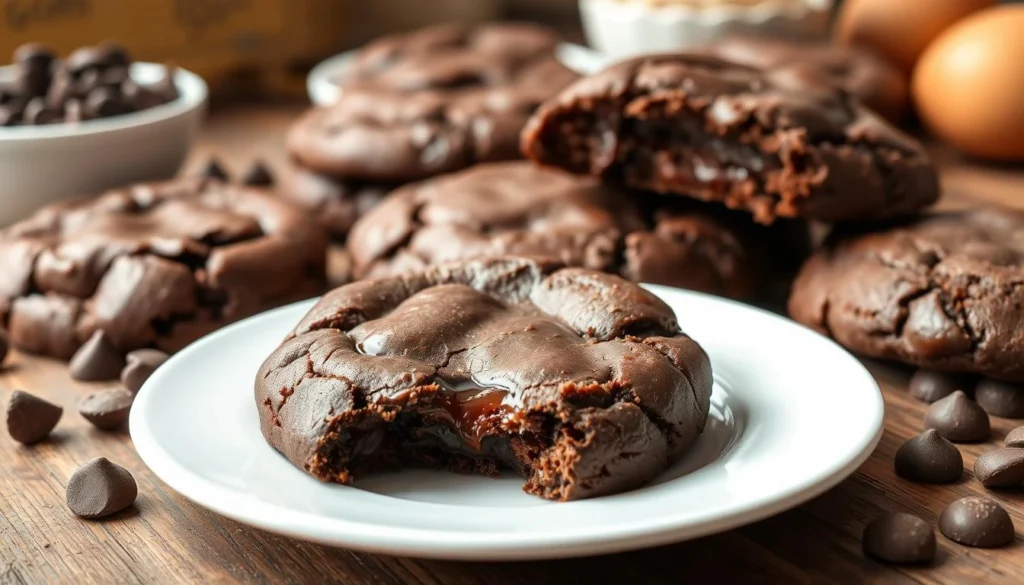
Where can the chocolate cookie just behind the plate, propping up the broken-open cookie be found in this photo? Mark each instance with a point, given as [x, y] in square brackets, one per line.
[518, 208]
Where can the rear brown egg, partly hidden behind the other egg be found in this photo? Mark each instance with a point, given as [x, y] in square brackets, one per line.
[900, 30]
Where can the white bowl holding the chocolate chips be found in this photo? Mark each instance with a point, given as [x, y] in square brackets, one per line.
[45, 164]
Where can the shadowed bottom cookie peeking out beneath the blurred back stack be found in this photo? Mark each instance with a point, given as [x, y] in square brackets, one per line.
[336, 204]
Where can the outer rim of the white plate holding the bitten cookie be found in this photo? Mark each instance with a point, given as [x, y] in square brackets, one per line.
[424, 544]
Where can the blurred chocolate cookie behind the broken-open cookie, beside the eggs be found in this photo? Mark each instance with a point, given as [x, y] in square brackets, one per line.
[857, 71]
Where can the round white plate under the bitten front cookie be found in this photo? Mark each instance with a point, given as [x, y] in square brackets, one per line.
[793, 414]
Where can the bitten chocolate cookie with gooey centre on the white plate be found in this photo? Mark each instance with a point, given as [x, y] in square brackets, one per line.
[581, 382]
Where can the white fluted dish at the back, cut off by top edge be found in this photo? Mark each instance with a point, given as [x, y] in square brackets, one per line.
[624, 29]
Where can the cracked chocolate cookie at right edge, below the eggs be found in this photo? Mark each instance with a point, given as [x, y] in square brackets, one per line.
[943, 291]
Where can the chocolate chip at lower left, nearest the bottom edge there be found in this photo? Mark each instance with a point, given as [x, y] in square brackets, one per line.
[100, 489]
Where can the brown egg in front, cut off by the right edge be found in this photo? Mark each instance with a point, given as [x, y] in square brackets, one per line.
[969, 86]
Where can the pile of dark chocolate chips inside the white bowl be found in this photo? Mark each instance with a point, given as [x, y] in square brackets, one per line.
[93, 82]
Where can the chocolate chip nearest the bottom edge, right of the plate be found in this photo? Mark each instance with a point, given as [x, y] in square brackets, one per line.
[900, 537]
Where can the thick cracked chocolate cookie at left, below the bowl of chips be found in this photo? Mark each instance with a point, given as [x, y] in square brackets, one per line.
[154, 266]
